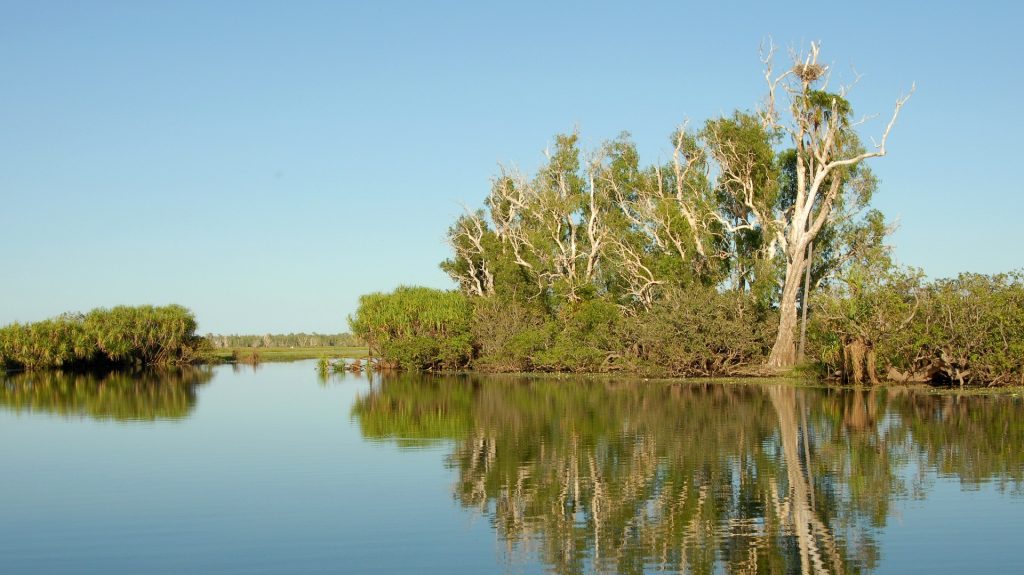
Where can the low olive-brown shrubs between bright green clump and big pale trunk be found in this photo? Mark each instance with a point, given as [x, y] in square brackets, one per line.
[693, 332]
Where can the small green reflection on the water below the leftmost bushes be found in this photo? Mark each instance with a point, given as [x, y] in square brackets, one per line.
[121, 396]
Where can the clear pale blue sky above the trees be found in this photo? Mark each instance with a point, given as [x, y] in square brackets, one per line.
[266, 163]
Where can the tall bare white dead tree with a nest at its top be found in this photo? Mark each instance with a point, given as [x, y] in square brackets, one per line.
[816, 126]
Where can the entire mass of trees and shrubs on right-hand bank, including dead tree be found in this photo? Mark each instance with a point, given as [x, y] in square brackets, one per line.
[703, 264]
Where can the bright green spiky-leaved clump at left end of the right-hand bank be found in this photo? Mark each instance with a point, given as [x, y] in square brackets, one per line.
[415, 328]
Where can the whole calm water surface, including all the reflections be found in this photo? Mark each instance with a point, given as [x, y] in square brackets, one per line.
[276, 471]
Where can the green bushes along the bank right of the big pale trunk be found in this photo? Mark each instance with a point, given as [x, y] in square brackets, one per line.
[885, 323]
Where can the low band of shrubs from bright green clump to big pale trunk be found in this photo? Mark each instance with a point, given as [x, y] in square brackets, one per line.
[688, 333]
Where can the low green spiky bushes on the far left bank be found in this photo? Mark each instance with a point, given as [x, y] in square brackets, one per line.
[123, 336]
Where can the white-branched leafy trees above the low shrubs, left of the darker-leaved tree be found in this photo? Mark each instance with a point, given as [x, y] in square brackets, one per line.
[604, 227]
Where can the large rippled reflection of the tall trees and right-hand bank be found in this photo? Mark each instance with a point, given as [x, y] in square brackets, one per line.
[695, 478]
